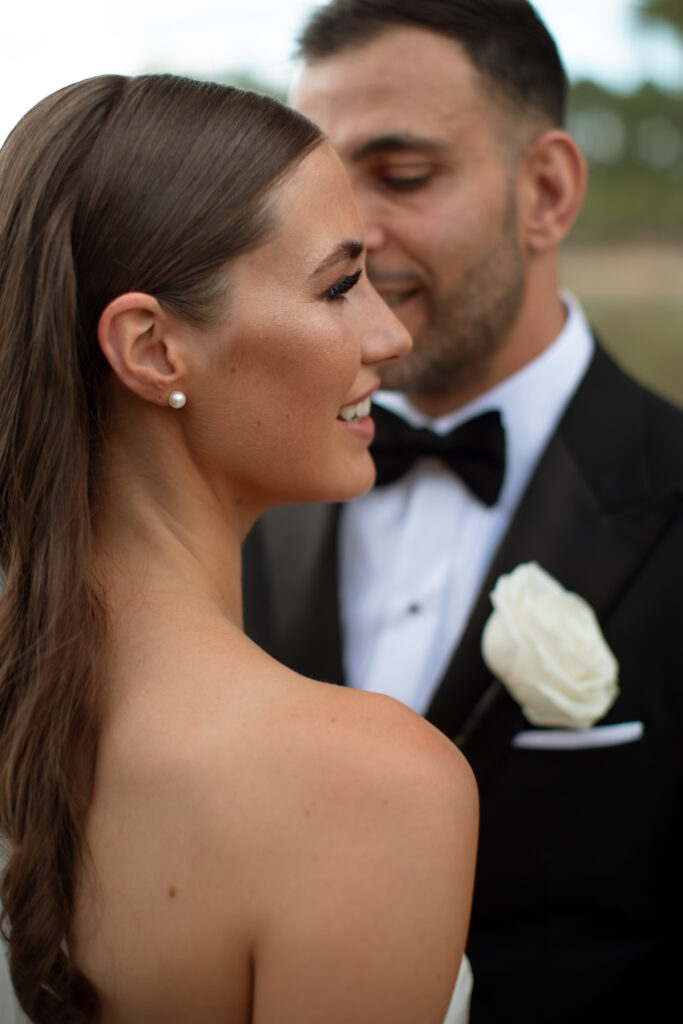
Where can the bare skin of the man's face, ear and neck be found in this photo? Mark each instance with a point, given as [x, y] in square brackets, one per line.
[464, 202]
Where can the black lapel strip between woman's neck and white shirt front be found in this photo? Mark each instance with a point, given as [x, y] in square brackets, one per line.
[301, 543]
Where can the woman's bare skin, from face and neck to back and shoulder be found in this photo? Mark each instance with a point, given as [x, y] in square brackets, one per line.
[263, 848]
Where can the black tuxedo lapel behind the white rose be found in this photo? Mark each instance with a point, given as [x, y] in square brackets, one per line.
[586, 519]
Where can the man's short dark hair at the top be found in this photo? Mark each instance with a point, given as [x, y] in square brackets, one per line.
[506, 41]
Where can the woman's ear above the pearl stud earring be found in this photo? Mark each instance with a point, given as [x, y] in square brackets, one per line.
[139, 343]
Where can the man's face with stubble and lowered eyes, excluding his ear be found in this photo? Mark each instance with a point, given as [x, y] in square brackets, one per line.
[422, 142]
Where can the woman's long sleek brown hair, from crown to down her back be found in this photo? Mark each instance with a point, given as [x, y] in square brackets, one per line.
[151, 184]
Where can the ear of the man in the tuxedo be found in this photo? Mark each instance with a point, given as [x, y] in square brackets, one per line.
[553, 184]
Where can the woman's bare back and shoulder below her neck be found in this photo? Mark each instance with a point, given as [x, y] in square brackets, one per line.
[265, 847]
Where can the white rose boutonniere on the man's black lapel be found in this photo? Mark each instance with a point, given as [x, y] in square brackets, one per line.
[545, 645]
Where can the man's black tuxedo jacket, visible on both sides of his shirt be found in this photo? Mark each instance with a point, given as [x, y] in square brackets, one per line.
[578, 910]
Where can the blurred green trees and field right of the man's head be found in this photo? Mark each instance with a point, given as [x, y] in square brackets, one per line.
[625, 255]
